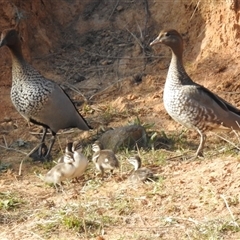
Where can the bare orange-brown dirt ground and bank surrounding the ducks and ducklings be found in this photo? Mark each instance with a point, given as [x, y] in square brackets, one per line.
[99, 51]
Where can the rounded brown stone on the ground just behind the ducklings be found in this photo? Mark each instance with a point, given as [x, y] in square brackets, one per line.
[126, 136]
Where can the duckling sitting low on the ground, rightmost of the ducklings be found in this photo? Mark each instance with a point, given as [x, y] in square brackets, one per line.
[139, 173]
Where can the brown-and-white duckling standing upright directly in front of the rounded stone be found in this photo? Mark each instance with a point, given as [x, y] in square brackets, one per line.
[104, 159]
